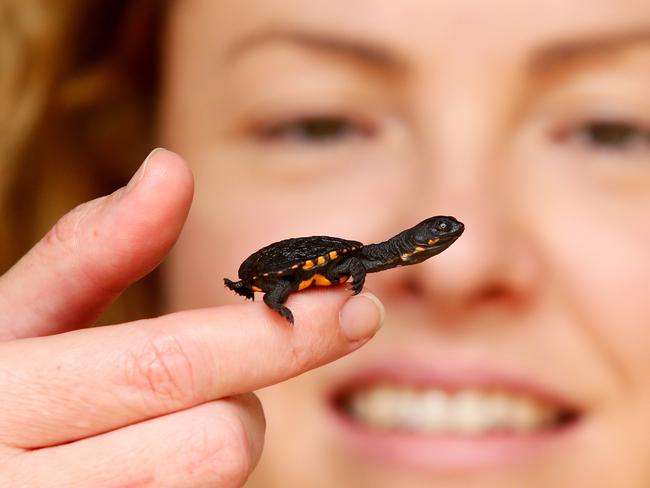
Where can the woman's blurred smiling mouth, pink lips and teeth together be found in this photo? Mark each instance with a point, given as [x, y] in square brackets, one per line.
[470, 419]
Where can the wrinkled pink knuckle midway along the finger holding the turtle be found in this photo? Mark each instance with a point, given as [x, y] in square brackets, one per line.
[162, 367]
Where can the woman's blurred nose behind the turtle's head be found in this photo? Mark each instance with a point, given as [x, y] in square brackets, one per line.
[493, 264]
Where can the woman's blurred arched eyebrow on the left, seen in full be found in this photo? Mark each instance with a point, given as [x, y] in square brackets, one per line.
[359, 50]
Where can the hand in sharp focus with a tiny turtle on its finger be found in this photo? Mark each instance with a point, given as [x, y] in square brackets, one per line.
[158, 402]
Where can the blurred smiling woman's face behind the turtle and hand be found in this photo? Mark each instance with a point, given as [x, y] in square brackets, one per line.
[518, 357]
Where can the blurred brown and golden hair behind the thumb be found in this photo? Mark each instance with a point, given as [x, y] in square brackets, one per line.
[77, 101]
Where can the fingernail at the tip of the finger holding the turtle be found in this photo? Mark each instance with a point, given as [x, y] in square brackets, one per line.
[361, 316]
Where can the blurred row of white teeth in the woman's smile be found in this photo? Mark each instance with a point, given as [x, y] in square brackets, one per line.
[465, 412]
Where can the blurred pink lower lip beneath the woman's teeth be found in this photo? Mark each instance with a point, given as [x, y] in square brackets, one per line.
[445, 452]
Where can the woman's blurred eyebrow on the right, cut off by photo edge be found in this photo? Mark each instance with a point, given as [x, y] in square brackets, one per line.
[571, 50]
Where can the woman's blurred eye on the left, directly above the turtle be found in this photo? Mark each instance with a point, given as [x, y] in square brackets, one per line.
[319, 129]
